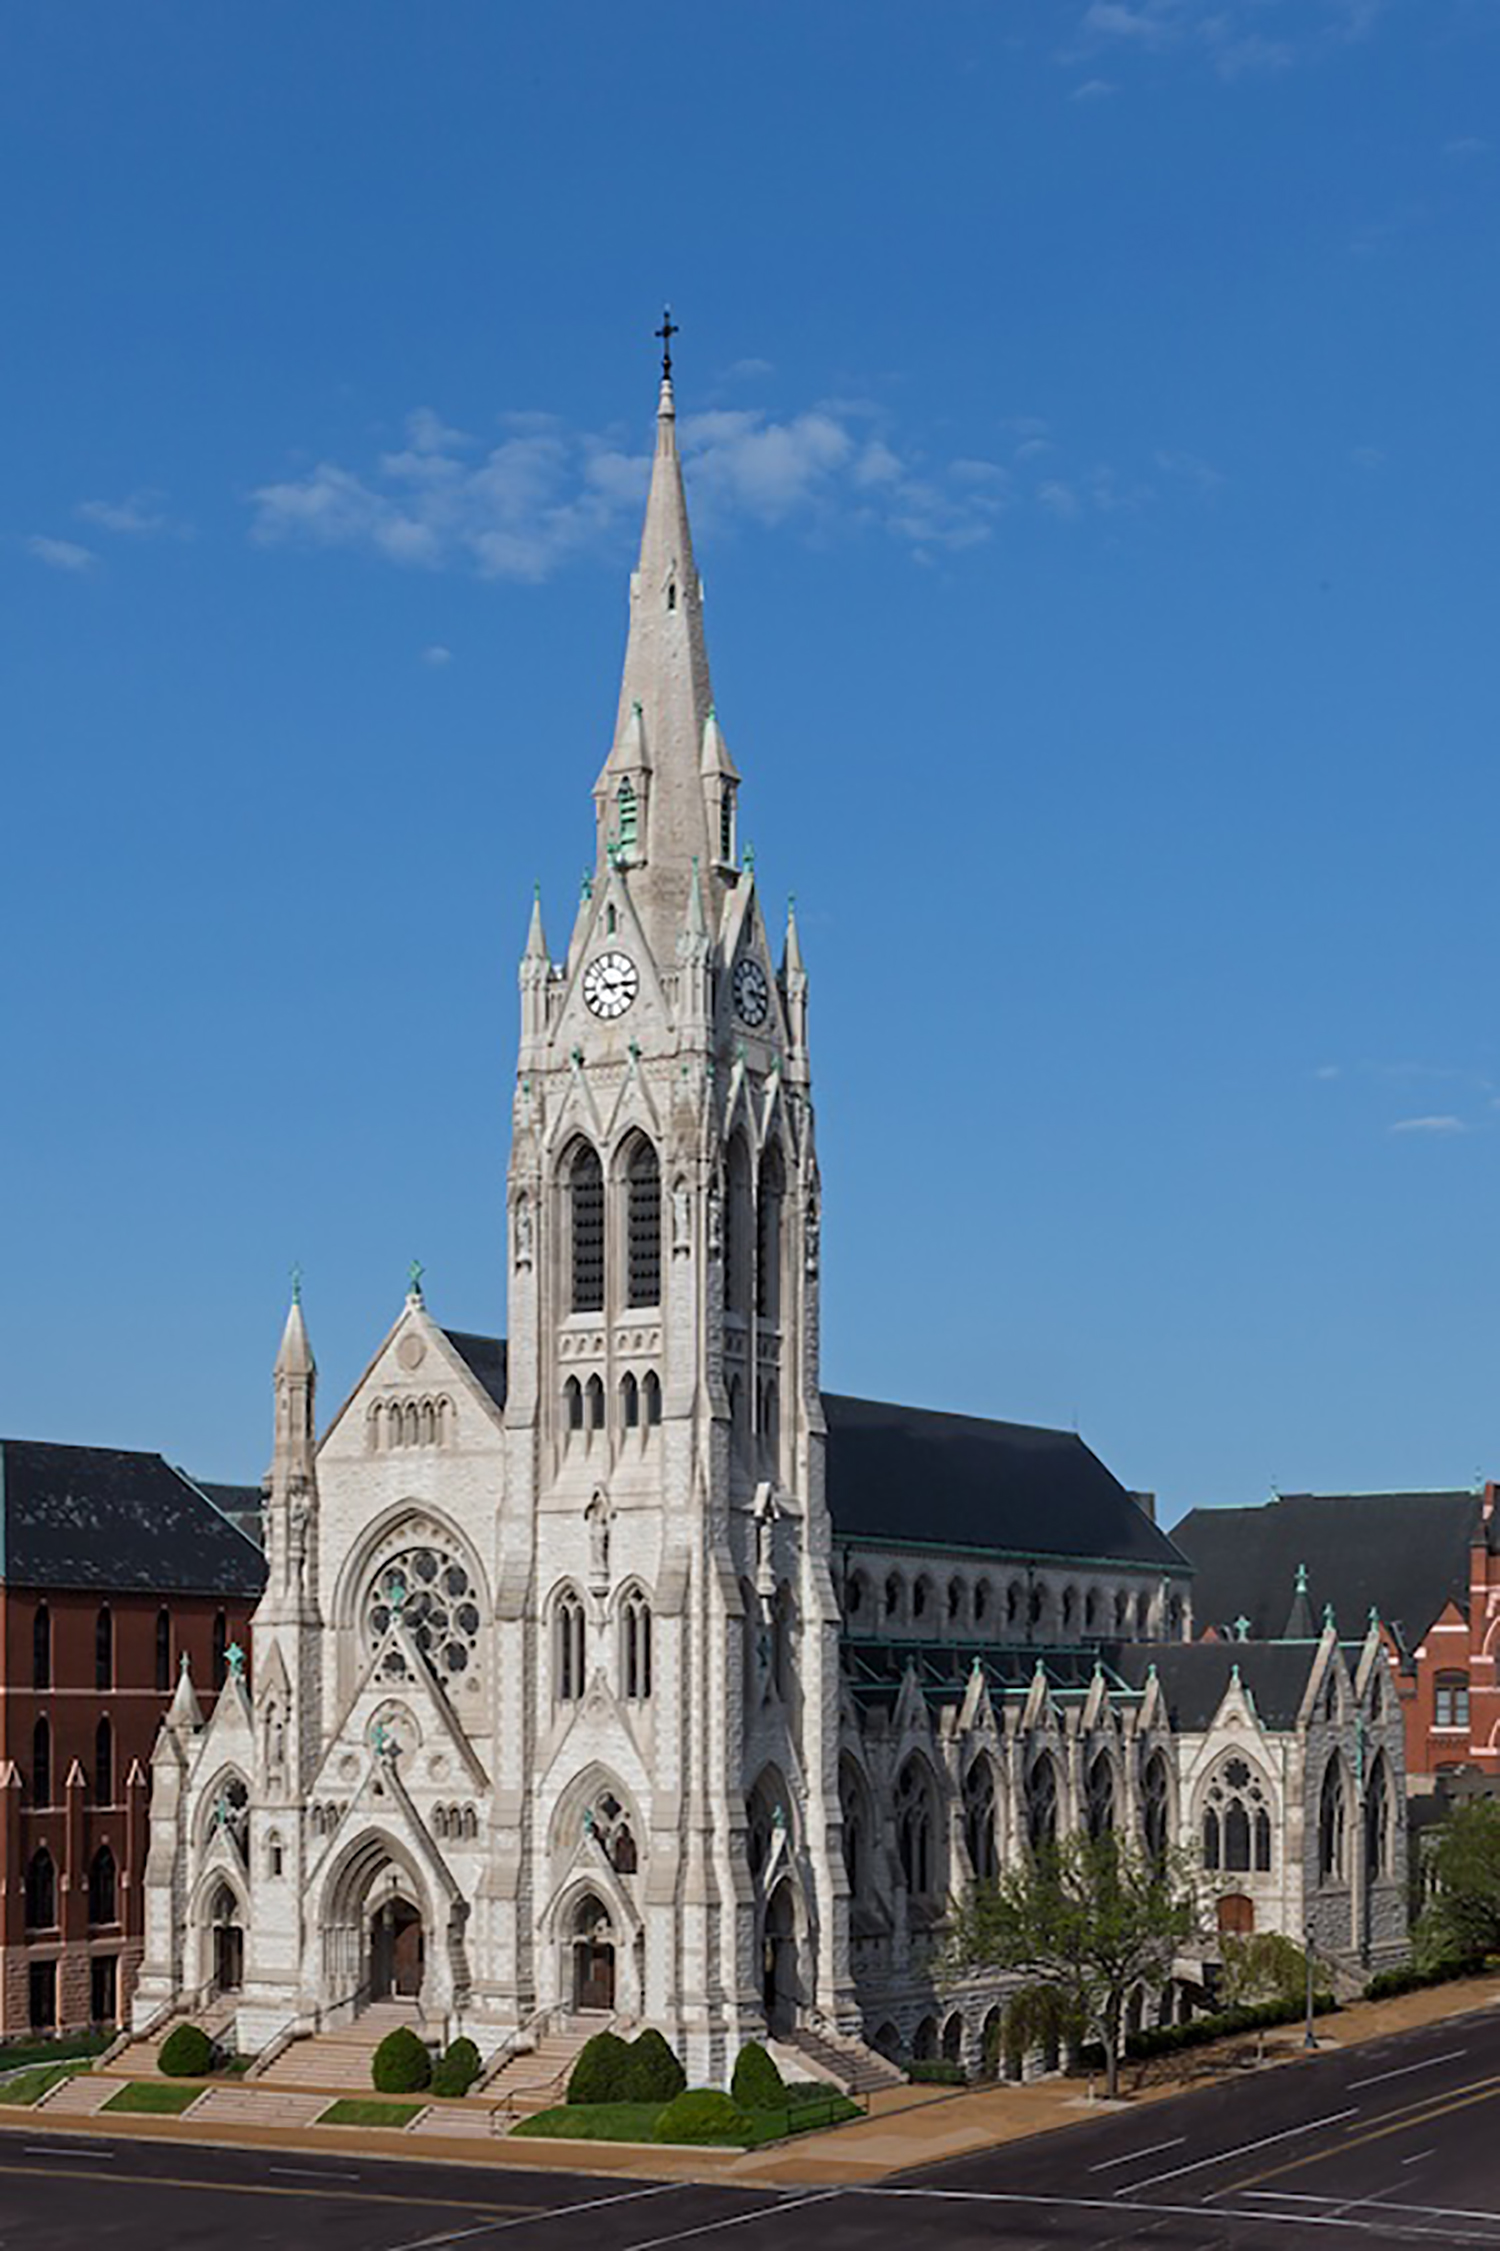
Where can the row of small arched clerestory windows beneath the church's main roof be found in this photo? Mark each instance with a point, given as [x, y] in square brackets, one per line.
[981, 1604]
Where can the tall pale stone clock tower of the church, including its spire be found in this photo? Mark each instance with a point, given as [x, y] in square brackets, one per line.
[668, 1622]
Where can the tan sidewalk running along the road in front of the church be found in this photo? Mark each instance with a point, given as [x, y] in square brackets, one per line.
[909, 2126]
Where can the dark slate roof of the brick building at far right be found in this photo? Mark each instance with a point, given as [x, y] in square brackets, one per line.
[1402, 1552]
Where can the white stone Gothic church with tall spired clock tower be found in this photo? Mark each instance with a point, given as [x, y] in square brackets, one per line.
[611, 1671]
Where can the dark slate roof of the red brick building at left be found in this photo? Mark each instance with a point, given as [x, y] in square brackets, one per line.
[89, 1516]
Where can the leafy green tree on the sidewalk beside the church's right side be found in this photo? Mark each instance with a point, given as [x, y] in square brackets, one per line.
[1087, 1919]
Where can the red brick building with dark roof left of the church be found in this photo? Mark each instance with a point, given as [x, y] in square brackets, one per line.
[114, 1572]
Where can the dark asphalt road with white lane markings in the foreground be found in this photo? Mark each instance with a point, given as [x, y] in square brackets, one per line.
[1391, 2144]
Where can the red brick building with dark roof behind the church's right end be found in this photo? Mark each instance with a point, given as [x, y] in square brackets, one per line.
[1425, 1563]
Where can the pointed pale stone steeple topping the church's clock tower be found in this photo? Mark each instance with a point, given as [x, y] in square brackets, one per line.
[668, 787]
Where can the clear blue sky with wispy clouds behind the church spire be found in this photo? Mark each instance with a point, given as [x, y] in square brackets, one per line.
[1091, 427]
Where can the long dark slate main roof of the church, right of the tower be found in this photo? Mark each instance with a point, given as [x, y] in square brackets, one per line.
[954, 1480]
